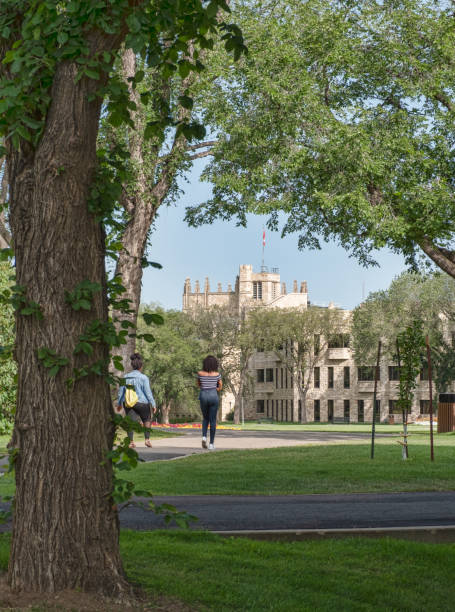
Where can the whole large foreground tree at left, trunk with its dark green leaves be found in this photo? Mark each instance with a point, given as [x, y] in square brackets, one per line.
[55, 73]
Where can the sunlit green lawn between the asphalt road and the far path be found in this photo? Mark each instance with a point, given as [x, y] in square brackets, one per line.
[334, 468]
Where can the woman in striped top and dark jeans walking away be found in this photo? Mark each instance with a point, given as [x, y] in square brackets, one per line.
[210, 384]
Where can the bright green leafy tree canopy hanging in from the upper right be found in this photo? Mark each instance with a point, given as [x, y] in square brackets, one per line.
[341, 118]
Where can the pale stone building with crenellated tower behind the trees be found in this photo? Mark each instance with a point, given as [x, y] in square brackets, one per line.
[339, 390]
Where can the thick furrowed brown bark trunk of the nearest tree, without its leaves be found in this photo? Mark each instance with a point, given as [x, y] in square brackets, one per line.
[65, 525]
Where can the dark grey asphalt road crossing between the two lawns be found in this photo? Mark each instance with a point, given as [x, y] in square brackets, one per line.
[358, 511]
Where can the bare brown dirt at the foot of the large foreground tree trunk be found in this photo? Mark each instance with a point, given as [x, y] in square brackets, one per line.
[74, 601]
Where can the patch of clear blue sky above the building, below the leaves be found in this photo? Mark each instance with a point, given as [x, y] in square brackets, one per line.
[217, 250]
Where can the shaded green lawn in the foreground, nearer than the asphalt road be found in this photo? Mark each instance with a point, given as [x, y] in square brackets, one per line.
[211, 573]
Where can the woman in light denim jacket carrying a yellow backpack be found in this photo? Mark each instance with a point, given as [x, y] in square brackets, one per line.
[145, 400]
